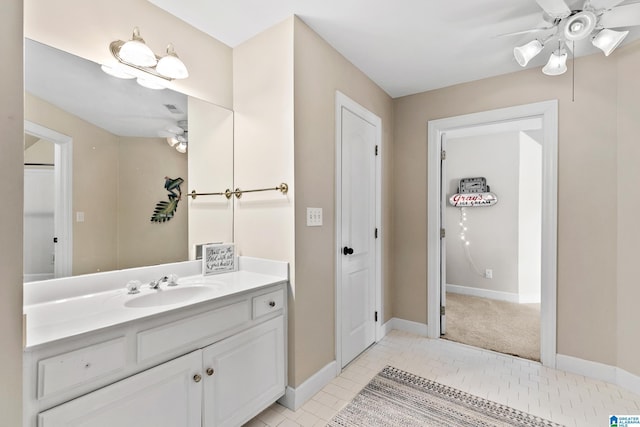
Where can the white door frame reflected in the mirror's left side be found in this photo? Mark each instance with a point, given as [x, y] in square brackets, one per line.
[63, 182]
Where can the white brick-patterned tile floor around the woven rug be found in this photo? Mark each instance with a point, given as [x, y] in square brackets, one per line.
[565, 398]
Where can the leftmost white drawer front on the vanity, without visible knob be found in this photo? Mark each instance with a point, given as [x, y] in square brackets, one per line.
[68, 370]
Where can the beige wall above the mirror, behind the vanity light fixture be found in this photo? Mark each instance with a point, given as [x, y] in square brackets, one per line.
[85, 28]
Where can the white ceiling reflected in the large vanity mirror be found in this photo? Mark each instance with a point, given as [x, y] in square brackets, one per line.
[122, 107]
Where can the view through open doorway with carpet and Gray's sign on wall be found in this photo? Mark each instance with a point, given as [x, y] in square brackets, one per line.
[492, 210]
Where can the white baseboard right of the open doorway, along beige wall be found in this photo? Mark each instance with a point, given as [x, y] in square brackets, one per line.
[599, 371]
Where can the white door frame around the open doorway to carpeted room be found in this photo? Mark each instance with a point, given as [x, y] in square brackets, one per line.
[548, 112]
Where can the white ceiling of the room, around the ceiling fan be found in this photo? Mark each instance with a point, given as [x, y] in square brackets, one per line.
[405, 46]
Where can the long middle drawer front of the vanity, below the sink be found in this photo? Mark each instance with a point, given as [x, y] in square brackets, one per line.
[179, 335]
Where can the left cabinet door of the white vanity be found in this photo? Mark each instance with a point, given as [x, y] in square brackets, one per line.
[164, 396]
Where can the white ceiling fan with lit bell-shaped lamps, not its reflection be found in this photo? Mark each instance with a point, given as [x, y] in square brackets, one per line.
[566, 26]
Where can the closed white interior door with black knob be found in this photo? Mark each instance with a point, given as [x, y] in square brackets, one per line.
[358, 210]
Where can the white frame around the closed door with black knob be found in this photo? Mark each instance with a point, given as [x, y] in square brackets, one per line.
[344, 101]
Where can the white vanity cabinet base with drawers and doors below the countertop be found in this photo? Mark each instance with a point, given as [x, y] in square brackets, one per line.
[209, 366]
